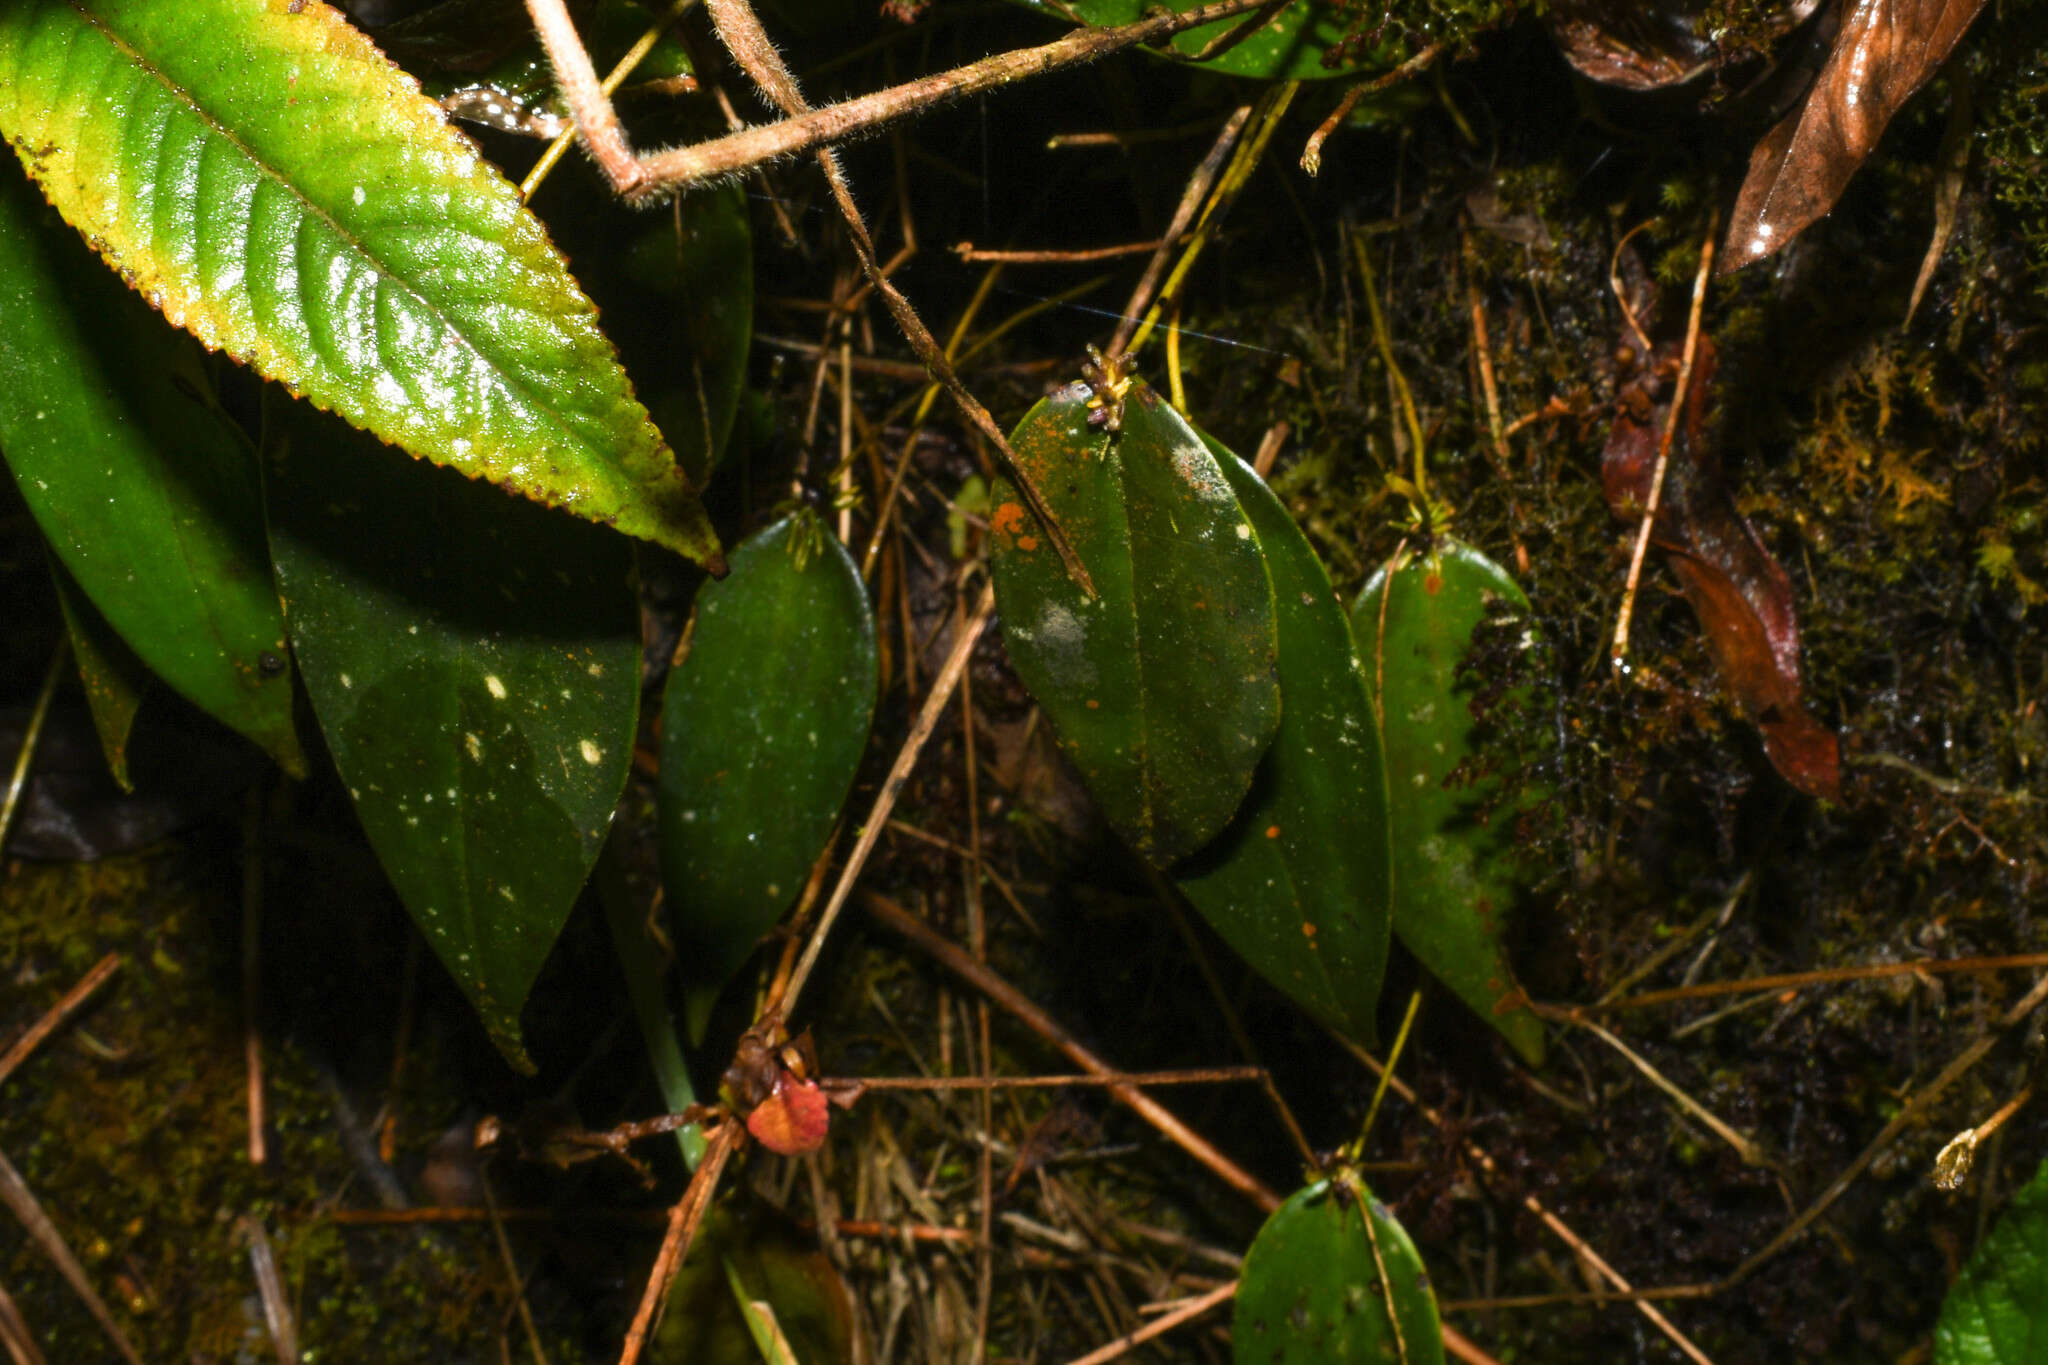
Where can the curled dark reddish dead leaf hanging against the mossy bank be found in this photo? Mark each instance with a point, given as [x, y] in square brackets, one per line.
[1740, 592]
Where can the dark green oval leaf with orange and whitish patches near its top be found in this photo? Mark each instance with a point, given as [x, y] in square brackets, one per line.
[1164, 689]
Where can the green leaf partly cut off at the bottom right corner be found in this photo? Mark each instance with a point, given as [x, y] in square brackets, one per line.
[1998, 1311]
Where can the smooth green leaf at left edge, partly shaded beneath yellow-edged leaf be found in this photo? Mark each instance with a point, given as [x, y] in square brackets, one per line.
[146, 492]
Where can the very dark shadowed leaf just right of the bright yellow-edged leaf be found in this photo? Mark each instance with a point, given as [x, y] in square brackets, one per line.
[693, 277]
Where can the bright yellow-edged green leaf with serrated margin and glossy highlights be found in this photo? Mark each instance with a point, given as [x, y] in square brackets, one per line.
[275, 187]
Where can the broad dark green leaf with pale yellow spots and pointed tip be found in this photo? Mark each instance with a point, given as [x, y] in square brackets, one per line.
[474, 664]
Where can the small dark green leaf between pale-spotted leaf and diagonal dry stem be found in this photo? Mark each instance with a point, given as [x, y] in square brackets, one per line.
[763, 732]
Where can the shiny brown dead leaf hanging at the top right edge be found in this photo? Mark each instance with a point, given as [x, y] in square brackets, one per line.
[1885, 50]
